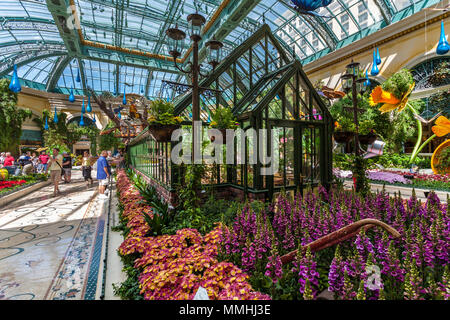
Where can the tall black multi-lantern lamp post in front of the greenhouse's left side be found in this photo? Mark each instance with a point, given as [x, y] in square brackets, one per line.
[176, 36]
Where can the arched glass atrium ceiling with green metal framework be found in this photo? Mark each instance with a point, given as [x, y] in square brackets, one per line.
[30, 37]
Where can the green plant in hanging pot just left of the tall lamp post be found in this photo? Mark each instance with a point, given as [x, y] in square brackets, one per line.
[162, 121]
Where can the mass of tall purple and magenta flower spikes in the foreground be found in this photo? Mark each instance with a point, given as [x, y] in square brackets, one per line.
[414, 266]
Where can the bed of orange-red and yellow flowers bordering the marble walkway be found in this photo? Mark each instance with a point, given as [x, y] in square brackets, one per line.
[174, 266]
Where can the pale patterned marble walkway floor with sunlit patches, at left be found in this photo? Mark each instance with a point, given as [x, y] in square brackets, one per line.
[49, 246]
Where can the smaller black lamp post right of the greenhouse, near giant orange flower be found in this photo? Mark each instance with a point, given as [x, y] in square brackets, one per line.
[352, 80]
